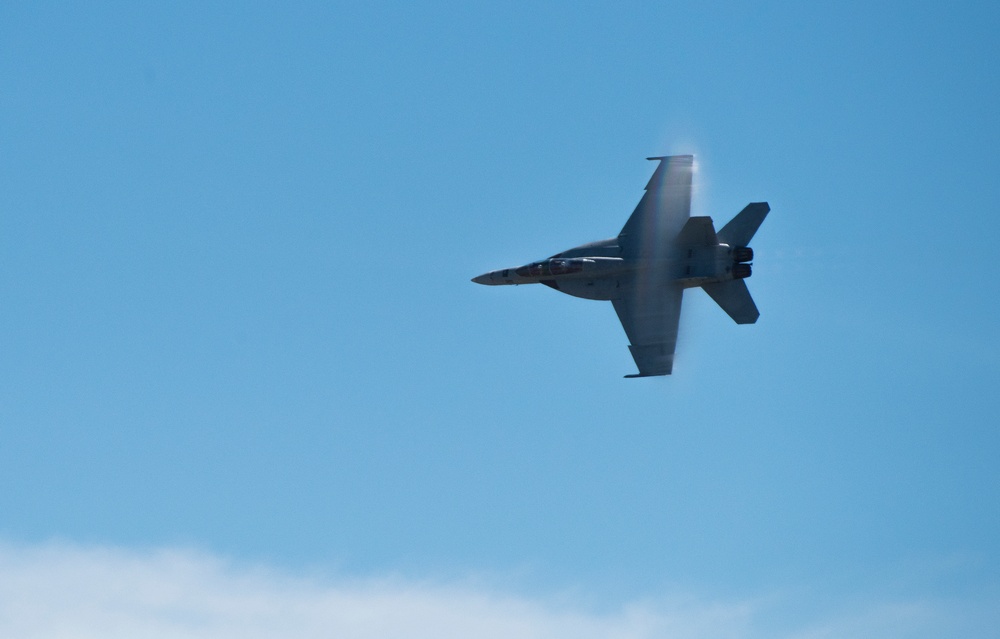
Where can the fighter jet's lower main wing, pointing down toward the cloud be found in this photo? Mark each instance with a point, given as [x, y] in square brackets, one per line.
[650, 322]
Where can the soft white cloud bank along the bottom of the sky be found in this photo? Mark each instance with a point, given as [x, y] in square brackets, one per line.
[64, 592]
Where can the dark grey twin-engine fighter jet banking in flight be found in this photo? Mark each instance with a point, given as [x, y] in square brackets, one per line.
[643, 272]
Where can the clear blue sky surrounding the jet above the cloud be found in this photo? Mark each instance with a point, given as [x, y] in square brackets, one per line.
[237, 319]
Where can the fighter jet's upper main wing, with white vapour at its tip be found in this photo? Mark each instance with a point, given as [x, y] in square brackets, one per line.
[662, 211]
